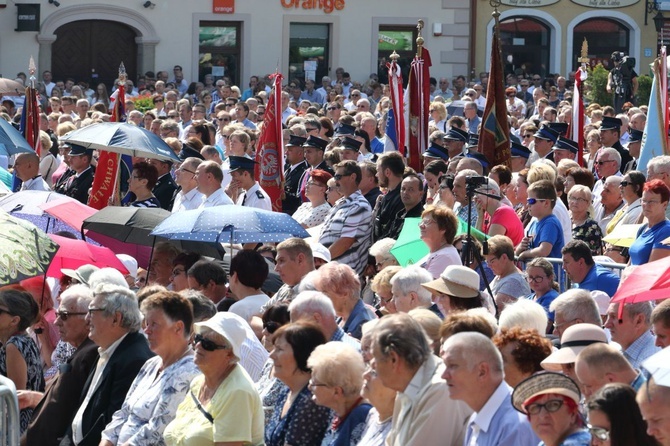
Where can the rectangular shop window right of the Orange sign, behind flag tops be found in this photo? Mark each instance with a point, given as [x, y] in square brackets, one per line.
[402, 40]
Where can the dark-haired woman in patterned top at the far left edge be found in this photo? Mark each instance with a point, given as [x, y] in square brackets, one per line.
[19, 356]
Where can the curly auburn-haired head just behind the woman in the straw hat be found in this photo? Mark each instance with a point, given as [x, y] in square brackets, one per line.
[522, 351]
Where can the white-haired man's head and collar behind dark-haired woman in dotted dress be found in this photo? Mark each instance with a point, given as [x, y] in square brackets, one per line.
[316, 307]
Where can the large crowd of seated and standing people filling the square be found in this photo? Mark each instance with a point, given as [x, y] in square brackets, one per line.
[331, 340]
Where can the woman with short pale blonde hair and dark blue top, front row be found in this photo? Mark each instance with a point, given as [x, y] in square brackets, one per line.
[337, 379]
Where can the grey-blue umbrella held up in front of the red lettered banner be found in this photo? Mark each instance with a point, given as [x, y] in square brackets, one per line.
[126, 139]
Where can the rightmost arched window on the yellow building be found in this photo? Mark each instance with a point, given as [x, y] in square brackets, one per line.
[604, 36]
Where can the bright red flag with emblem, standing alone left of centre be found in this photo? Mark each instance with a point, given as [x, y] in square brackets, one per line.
[270, 153]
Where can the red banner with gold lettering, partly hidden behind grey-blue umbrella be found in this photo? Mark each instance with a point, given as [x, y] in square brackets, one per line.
[106, 181]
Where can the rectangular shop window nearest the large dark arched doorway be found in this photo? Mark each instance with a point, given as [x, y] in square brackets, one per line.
[219, 47]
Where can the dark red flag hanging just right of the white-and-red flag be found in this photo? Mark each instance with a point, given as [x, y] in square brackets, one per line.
[418, 89]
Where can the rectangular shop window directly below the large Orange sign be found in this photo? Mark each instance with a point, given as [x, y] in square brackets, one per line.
[309, 51]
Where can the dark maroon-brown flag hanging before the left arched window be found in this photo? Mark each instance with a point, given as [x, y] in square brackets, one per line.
[494, 133]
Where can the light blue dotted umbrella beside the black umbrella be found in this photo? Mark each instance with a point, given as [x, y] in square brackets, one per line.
[230, 224]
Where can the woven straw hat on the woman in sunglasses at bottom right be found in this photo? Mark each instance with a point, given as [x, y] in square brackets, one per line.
[544, 383]
